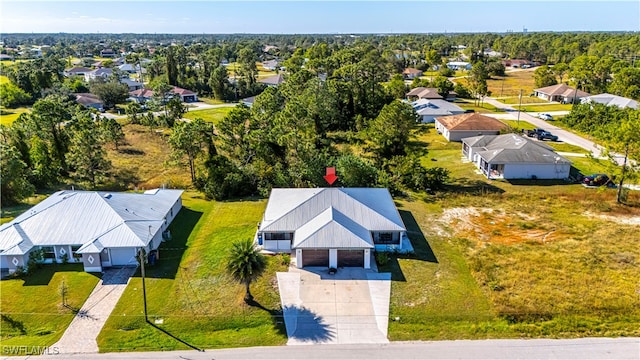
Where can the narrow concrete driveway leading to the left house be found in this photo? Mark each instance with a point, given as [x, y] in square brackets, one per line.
[80, 336]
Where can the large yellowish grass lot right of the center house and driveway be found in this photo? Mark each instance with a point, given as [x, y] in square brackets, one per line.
[479, 274]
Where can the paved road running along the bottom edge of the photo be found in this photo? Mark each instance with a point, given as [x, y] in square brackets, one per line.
[587, 348]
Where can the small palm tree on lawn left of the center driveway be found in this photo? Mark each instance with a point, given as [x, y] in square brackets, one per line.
[246, 264]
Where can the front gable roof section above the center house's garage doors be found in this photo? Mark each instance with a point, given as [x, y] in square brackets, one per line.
[332, 229]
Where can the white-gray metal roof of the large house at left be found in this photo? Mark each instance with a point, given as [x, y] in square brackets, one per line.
[83, 217]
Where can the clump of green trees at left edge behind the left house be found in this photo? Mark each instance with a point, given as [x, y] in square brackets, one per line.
[58, 141]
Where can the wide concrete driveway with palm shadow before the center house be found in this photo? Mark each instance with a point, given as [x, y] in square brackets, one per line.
[350, 307]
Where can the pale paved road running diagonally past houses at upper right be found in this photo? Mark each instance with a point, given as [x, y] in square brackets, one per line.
[563, 135]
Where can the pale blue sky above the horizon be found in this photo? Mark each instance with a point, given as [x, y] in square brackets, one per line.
[292, 17]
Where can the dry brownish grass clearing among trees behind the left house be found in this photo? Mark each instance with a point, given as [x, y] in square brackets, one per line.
[144, 161]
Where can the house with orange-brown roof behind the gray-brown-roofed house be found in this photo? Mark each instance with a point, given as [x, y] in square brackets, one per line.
[457, 127]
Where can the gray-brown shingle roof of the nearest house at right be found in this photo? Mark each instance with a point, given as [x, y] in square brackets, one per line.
[512, 148]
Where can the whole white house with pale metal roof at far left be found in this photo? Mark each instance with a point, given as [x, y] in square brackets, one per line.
[97, 229]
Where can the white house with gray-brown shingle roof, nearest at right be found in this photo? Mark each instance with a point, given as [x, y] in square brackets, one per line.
[512, 156]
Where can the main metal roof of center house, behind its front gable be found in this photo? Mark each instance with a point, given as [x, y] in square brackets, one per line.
[371, 208]
